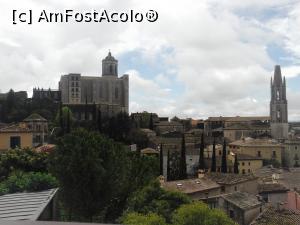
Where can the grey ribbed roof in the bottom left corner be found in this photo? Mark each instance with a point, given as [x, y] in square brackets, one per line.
[29, 206]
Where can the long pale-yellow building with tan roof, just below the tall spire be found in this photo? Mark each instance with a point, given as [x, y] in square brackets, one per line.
[266, 149]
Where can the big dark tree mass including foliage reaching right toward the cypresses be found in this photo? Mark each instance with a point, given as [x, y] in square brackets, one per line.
[97, 175]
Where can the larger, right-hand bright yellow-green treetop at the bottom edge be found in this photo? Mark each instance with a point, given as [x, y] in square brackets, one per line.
[198, 213]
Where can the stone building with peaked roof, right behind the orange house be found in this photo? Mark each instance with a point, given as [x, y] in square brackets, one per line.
[39, 127]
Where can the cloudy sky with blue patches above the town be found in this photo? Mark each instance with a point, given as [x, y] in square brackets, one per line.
[201, 58]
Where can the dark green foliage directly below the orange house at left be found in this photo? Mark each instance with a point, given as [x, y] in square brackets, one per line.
[22, 159]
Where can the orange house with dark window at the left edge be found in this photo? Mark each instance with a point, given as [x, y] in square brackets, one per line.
[16, 136]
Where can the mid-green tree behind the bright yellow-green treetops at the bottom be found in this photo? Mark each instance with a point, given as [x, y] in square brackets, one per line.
[154, 199]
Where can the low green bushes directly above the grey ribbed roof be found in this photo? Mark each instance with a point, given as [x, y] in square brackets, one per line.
[31, 181]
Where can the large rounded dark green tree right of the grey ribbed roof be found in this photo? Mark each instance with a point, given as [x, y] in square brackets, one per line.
[87, 166]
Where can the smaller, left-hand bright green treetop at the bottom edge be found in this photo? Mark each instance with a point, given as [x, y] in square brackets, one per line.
[140, 219]
